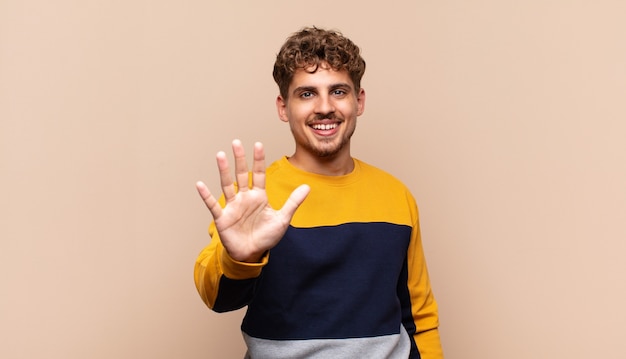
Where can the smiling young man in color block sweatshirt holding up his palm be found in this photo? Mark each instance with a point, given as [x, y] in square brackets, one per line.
[324, 249]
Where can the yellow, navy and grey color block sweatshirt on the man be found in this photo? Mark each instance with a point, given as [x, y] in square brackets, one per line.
[347, 280]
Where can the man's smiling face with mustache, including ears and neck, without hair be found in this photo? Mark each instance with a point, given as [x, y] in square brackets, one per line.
[321, 109]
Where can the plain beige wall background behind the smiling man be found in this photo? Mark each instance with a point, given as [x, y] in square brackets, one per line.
[507, 120]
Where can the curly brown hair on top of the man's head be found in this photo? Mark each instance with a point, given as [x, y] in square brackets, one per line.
[310, 47]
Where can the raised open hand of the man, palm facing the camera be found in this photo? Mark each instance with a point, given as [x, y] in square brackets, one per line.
[248, 226]
